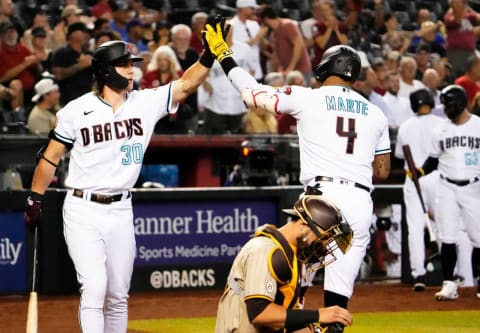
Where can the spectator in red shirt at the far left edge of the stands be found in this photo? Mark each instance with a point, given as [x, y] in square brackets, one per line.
[19, 66]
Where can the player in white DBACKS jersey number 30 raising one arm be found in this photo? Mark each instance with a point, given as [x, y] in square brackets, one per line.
[107, 132]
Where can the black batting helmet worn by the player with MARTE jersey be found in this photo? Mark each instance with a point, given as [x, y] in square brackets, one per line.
[339, 60]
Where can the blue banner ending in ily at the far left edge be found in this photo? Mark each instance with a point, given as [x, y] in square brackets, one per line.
[12, 252]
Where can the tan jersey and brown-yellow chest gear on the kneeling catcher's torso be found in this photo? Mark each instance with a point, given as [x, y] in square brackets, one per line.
[266, 267]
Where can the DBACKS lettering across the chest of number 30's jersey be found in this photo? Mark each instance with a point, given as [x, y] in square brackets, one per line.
[106, 132]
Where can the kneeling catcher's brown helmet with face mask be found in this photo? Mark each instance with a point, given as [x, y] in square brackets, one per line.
[328, 224]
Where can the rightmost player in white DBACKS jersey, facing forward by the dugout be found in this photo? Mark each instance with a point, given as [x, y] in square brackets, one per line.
[455, 153]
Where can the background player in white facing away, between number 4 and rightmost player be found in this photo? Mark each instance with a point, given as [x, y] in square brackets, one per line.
[417, 132]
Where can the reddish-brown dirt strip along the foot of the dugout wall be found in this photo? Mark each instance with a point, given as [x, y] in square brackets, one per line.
[59, 314]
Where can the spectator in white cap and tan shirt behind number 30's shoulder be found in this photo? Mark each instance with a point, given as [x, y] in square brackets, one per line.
[42, 118]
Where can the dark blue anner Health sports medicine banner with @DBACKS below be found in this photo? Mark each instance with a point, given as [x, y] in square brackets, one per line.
[192, 244]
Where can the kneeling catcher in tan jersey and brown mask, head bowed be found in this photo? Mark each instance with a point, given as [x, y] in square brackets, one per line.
[263, 287]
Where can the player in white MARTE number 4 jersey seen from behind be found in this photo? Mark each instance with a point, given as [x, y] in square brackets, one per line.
[342, 136]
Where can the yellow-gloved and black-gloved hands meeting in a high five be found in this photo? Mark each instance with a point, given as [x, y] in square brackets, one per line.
[214, 38]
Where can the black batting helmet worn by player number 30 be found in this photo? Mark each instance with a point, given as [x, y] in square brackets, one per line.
[105, 57]
